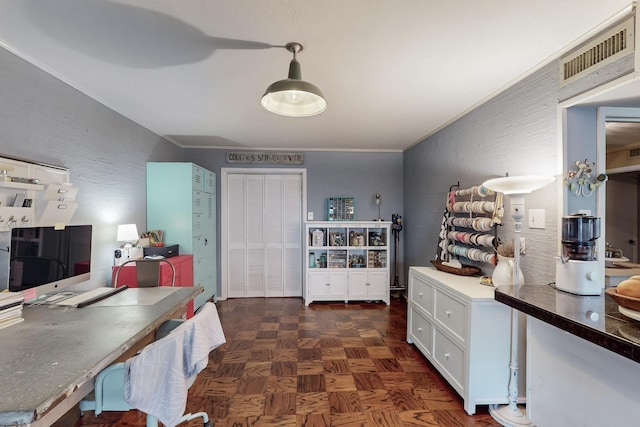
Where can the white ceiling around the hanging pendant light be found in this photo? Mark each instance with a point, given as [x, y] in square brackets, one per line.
[393, 72]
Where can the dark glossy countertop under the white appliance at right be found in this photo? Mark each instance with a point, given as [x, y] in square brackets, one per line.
[593, 318]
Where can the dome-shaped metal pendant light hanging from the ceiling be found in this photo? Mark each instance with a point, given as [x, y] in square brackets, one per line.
[294, 97]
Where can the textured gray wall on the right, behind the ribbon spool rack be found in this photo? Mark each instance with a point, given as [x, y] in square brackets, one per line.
[516, 133]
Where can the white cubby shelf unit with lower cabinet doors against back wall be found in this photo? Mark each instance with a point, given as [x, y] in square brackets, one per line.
[347, 261]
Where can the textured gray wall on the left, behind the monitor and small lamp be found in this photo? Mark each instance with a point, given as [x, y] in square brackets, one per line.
[45, 120]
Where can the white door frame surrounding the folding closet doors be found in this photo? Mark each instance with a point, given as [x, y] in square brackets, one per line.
[224, 213]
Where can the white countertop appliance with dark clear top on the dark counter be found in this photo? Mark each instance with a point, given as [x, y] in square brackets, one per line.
[577, 270]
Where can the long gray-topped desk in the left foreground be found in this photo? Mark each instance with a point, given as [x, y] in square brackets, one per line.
[48, 362]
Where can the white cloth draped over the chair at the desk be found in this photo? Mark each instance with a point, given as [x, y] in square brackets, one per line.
[157, 379]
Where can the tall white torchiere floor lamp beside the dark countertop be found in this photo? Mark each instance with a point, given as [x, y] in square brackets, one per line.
[515, 188]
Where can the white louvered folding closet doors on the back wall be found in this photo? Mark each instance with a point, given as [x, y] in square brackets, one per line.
[265, 258]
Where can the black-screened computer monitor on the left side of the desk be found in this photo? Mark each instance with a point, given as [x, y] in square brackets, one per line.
[46, 259]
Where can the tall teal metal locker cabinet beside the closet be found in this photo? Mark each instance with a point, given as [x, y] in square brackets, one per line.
[181, 201]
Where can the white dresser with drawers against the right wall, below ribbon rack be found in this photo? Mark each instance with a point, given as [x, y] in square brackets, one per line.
[459, 327]
